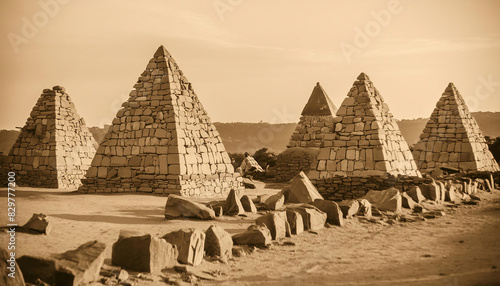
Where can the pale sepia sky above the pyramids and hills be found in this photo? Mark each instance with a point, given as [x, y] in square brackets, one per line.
[250, 60]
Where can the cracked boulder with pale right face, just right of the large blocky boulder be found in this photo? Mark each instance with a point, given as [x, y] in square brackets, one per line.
[190, 243]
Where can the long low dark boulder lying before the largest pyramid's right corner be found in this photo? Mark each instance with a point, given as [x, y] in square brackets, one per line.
[178, 206]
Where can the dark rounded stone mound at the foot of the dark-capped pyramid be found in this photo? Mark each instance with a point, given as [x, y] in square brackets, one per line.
[294, 160]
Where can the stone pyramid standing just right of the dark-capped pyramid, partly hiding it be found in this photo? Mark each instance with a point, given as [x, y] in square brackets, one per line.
[368, 141]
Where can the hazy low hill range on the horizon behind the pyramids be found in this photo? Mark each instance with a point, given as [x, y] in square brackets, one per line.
[239, 137]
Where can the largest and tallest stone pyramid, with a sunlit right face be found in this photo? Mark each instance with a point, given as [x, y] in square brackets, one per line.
[162, 141]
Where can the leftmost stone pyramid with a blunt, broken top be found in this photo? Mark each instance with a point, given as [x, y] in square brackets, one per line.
[55, 148]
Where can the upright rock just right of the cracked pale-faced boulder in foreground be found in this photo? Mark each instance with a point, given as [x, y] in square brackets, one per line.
[218, 242]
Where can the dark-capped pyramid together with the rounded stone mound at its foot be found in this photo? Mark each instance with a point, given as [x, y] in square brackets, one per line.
[315, 128]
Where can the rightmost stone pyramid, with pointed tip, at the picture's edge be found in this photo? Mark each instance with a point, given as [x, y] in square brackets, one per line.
[452, 138]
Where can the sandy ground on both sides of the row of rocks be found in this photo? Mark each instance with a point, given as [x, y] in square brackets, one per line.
[461, 248]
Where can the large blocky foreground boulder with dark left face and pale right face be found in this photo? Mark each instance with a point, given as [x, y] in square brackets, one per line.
[143, 253]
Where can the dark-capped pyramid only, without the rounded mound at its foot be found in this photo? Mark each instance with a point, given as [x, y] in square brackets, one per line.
[316, 122]
